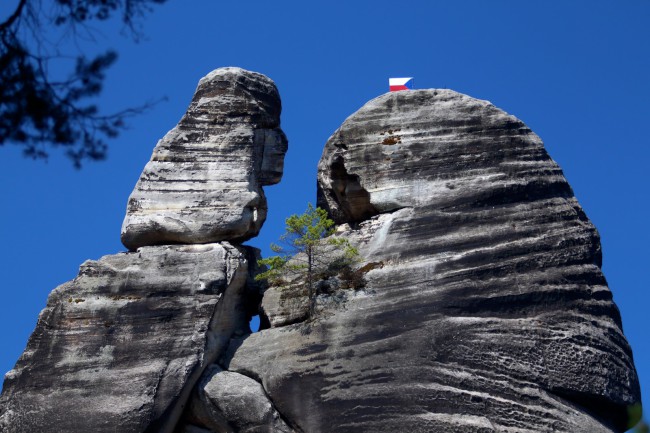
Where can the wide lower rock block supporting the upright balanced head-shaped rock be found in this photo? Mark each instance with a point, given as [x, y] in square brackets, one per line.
[120, 347]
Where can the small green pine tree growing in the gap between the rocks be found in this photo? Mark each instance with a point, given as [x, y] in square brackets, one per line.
[306, 249]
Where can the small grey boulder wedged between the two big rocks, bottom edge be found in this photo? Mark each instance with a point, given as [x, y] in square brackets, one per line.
[227, 402]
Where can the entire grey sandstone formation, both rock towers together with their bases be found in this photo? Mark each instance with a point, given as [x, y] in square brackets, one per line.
[480, 305]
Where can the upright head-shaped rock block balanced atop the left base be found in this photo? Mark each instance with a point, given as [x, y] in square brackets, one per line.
[204, 180]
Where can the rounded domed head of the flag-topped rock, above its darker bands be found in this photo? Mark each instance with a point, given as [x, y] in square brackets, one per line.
[425, 147]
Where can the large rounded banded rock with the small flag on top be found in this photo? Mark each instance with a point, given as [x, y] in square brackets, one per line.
[489, 311]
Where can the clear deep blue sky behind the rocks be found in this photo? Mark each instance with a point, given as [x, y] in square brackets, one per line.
[576, 72]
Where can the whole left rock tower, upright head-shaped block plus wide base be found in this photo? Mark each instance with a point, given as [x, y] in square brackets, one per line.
[121, 347]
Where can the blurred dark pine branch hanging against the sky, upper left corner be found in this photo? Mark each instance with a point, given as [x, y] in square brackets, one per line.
[37, 112]
